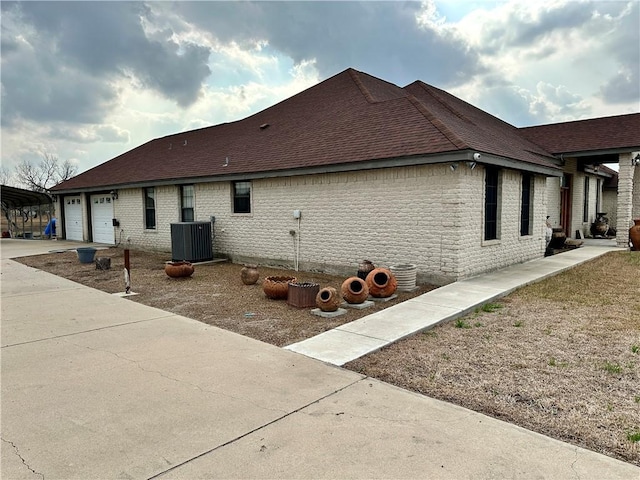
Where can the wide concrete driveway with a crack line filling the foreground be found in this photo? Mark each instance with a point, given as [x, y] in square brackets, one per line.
[97, 386]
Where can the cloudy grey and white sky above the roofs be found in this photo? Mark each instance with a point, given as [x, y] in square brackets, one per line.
[87, 81]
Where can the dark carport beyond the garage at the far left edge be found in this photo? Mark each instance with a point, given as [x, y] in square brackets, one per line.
[25, 213]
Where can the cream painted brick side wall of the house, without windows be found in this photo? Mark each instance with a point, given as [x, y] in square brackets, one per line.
[427, 215]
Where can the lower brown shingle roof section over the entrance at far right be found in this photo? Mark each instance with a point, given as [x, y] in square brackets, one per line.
[596, 134]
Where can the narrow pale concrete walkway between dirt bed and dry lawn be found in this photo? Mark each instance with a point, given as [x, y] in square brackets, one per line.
[368, 334]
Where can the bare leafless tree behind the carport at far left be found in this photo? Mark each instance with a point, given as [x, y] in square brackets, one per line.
[49, 172]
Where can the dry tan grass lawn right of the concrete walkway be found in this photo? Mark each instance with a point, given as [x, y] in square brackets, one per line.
[560, 357]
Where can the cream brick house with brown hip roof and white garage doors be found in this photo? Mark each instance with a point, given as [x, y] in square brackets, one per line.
[352, 168]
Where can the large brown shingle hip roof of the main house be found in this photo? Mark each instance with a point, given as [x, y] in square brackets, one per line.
[349, 118]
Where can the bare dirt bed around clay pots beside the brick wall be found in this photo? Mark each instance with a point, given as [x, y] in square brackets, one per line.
[214, 294]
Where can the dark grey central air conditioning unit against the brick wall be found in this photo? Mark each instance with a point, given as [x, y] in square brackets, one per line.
[191, 241]
